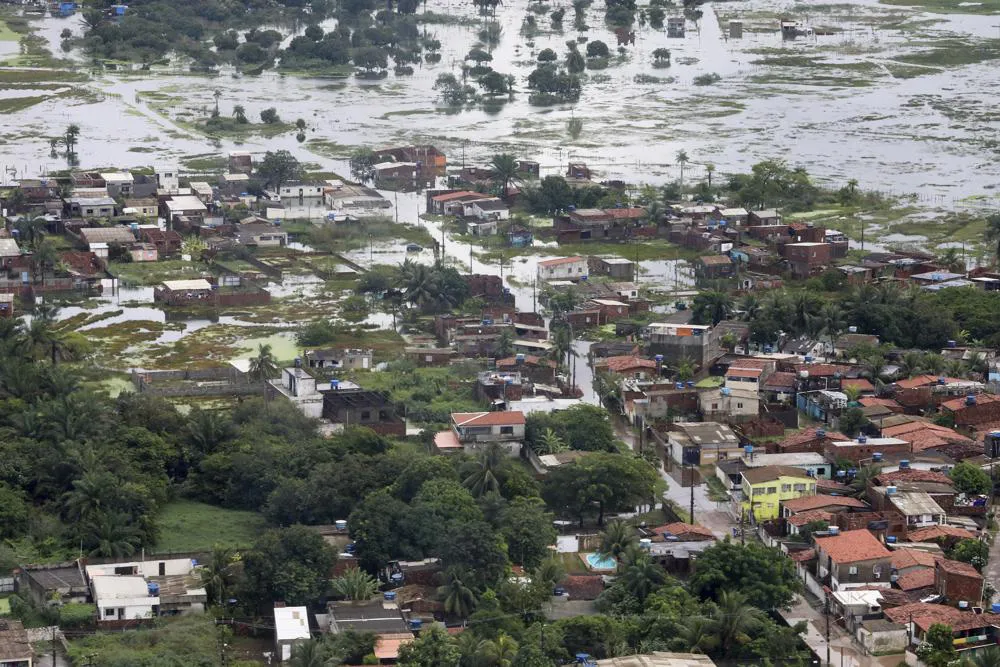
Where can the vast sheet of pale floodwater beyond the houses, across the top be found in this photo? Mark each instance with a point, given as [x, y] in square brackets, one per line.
[929, 134]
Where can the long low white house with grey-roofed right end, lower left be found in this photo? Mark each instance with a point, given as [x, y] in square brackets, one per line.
[126, 592]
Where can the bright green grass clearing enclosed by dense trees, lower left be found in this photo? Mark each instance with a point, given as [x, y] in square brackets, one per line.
[186, 525]
